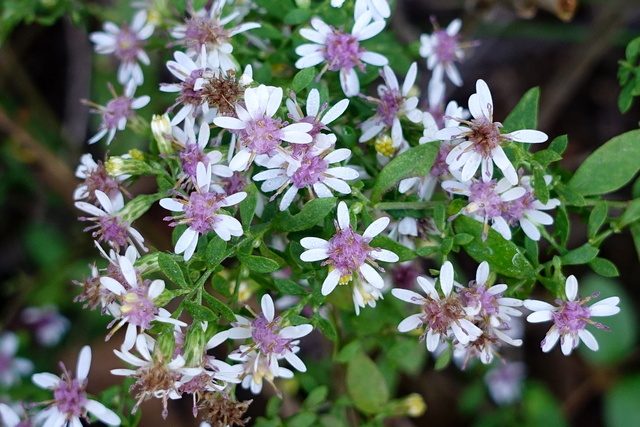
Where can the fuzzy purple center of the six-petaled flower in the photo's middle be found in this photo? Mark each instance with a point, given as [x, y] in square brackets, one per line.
[348, 251]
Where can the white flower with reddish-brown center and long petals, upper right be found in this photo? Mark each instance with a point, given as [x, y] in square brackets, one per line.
[482, 141]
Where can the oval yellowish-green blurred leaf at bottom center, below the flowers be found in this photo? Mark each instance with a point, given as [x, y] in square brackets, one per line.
[365, 385]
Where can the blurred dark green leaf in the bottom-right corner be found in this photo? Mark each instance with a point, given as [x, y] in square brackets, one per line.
[621, 402]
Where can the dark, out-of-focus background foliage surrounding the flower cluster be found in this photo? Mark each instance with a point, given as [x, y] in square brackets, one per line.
[571, 49]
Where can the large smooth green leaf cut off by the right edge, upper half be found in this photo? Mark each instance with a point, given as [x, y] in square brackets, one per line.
[609, 167]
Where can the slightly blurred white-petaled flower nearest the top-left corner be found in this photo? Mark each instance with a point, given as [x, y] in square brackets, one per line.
[127, 44]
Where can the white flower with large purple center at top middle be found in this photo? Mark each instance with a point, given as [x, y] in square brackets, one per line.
[341, 51]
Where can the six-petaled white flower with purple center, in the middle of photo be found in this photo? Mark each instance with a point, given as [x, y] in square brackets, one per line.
[348, 253]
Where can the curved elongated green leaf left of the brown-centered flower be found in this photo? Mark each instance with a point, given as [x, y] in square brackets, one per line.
[416, 161]
